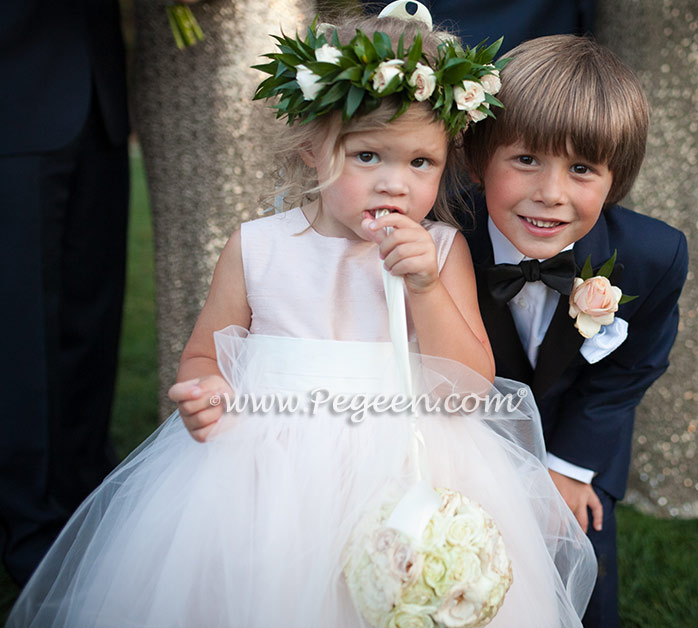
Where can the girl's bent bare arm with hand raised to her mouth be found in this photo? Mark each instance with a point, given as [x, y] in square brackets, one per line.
[444, 306]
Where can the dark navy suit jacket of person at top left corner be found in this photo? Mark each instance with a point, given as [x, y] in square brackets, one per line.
[52, 54]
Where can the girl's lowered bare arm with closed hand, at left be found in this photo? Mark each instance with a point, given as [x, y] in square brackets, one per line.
[199, 378]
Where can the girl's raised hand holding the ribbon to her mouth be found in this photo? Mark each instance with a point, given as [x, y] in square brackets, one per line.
[408, 251]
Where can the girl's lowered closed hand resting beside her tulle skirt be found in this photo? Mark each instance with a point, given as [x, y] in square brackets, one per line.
[201, 403]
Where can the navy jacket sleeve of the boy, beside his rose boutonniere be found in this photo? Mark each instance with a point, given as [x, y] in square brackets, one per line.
[595, 414]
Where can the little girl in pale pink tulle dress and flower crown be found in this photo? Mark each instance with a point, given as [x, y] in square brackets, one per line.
[248, 528]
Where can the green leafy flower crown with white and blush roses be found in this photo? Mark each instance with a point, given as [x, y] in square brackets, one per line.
[315, 76]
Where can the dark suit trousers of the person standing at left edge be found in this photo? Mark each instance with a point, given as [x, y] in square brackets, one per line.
[62, 258]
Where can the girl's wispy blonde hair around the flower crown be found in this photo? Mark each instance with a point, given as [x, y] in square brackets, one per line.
[297, 182]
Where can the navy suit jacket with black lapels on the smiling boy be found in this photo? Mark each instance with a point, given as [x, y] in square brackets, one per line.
[588, 410]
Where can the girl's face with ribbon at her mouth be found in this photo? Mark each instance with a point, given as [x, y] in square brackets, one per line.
[398, 168]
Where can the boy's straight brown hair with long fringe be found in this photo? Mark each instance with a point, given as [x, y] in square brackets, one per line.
[566, 88]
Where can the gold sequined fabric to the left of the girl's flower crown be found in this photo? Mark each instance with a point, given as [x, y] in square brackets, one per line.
[199, 133]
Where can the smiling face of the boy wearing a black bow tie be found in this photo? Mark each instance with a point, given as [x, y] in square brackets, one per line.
[543, 202]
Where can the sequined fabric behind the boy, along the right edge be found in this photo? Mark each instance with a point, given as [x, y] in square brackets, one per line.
[659, 39]
